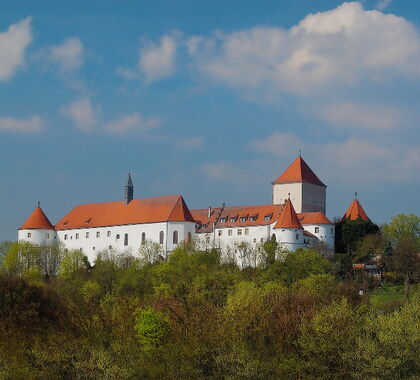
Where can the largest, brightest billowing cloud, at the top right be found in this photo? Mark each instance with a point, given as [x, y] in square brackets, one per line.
[343, 47]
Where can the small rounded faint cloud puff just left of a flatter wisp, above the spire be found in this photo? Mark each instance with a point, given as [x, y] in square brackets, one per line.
[82, 113]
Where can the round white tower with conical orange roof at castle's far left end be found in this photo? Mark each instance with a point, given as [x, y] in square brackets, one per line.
[37, 229]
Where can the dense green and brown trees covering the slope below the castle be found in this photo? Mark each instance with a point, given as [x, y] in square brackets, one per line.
[193, 316]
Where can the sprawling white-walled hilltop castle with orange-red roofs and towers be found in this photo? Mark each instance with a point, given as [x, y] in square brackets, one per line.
[295, 219]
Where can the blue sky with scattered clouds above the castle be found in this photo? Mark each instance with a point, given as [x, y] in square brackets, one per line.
[211, 99]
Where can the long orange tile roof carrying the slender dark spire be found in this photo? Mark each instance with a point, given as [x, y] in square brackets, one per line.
[149, 210]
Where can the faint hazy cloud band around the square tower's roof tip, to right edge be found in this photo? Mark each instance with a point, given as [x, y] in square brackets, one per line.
[350, 160]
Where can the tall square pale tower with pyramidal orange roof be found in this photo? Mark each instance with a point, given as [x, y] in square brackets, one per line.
[300, 183]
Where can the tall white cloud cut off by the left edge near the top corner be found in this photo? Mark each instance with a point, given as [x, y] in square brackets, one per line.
[13, 44]
